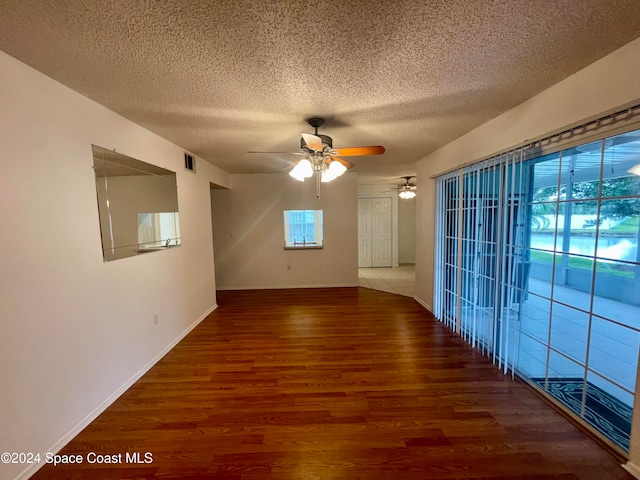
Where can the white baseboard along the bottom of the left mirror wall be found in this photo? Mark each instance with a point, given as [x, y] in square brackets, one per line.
[33, 468]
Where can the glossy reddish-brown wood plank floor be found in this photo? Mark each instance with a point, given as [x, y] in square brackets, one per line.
[332, 384]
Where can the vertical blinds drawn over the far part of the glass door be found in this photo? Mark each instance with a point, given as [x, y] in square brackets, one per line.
[480, 255]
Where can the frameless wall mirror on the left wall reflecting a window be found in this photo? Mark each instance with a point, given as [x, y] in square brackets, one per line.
[137, 205]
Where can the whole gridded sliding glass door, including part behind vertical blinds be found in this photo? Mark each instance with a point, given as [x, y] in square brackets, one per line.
[542, 272]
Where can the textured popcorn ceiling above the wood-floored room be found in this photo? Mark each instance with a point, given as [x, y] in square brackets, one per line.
[223, 77]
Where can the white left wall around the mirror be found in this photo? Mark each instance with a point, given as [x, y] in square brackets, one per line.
[75, 331]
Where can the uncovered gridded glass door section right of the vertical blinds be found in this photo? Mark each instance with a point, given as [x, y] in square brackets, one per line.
[584, 282]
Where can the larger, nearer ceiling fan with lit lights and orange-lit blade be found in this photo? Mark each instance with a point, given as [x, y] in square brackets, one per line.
[322, 159]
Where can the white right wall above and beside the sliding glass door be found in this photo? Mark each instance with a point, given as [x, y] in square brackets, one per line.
[600, 88]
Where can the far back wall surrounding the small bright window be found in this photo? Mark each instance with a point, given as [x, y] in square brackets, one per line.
[248, 231]
